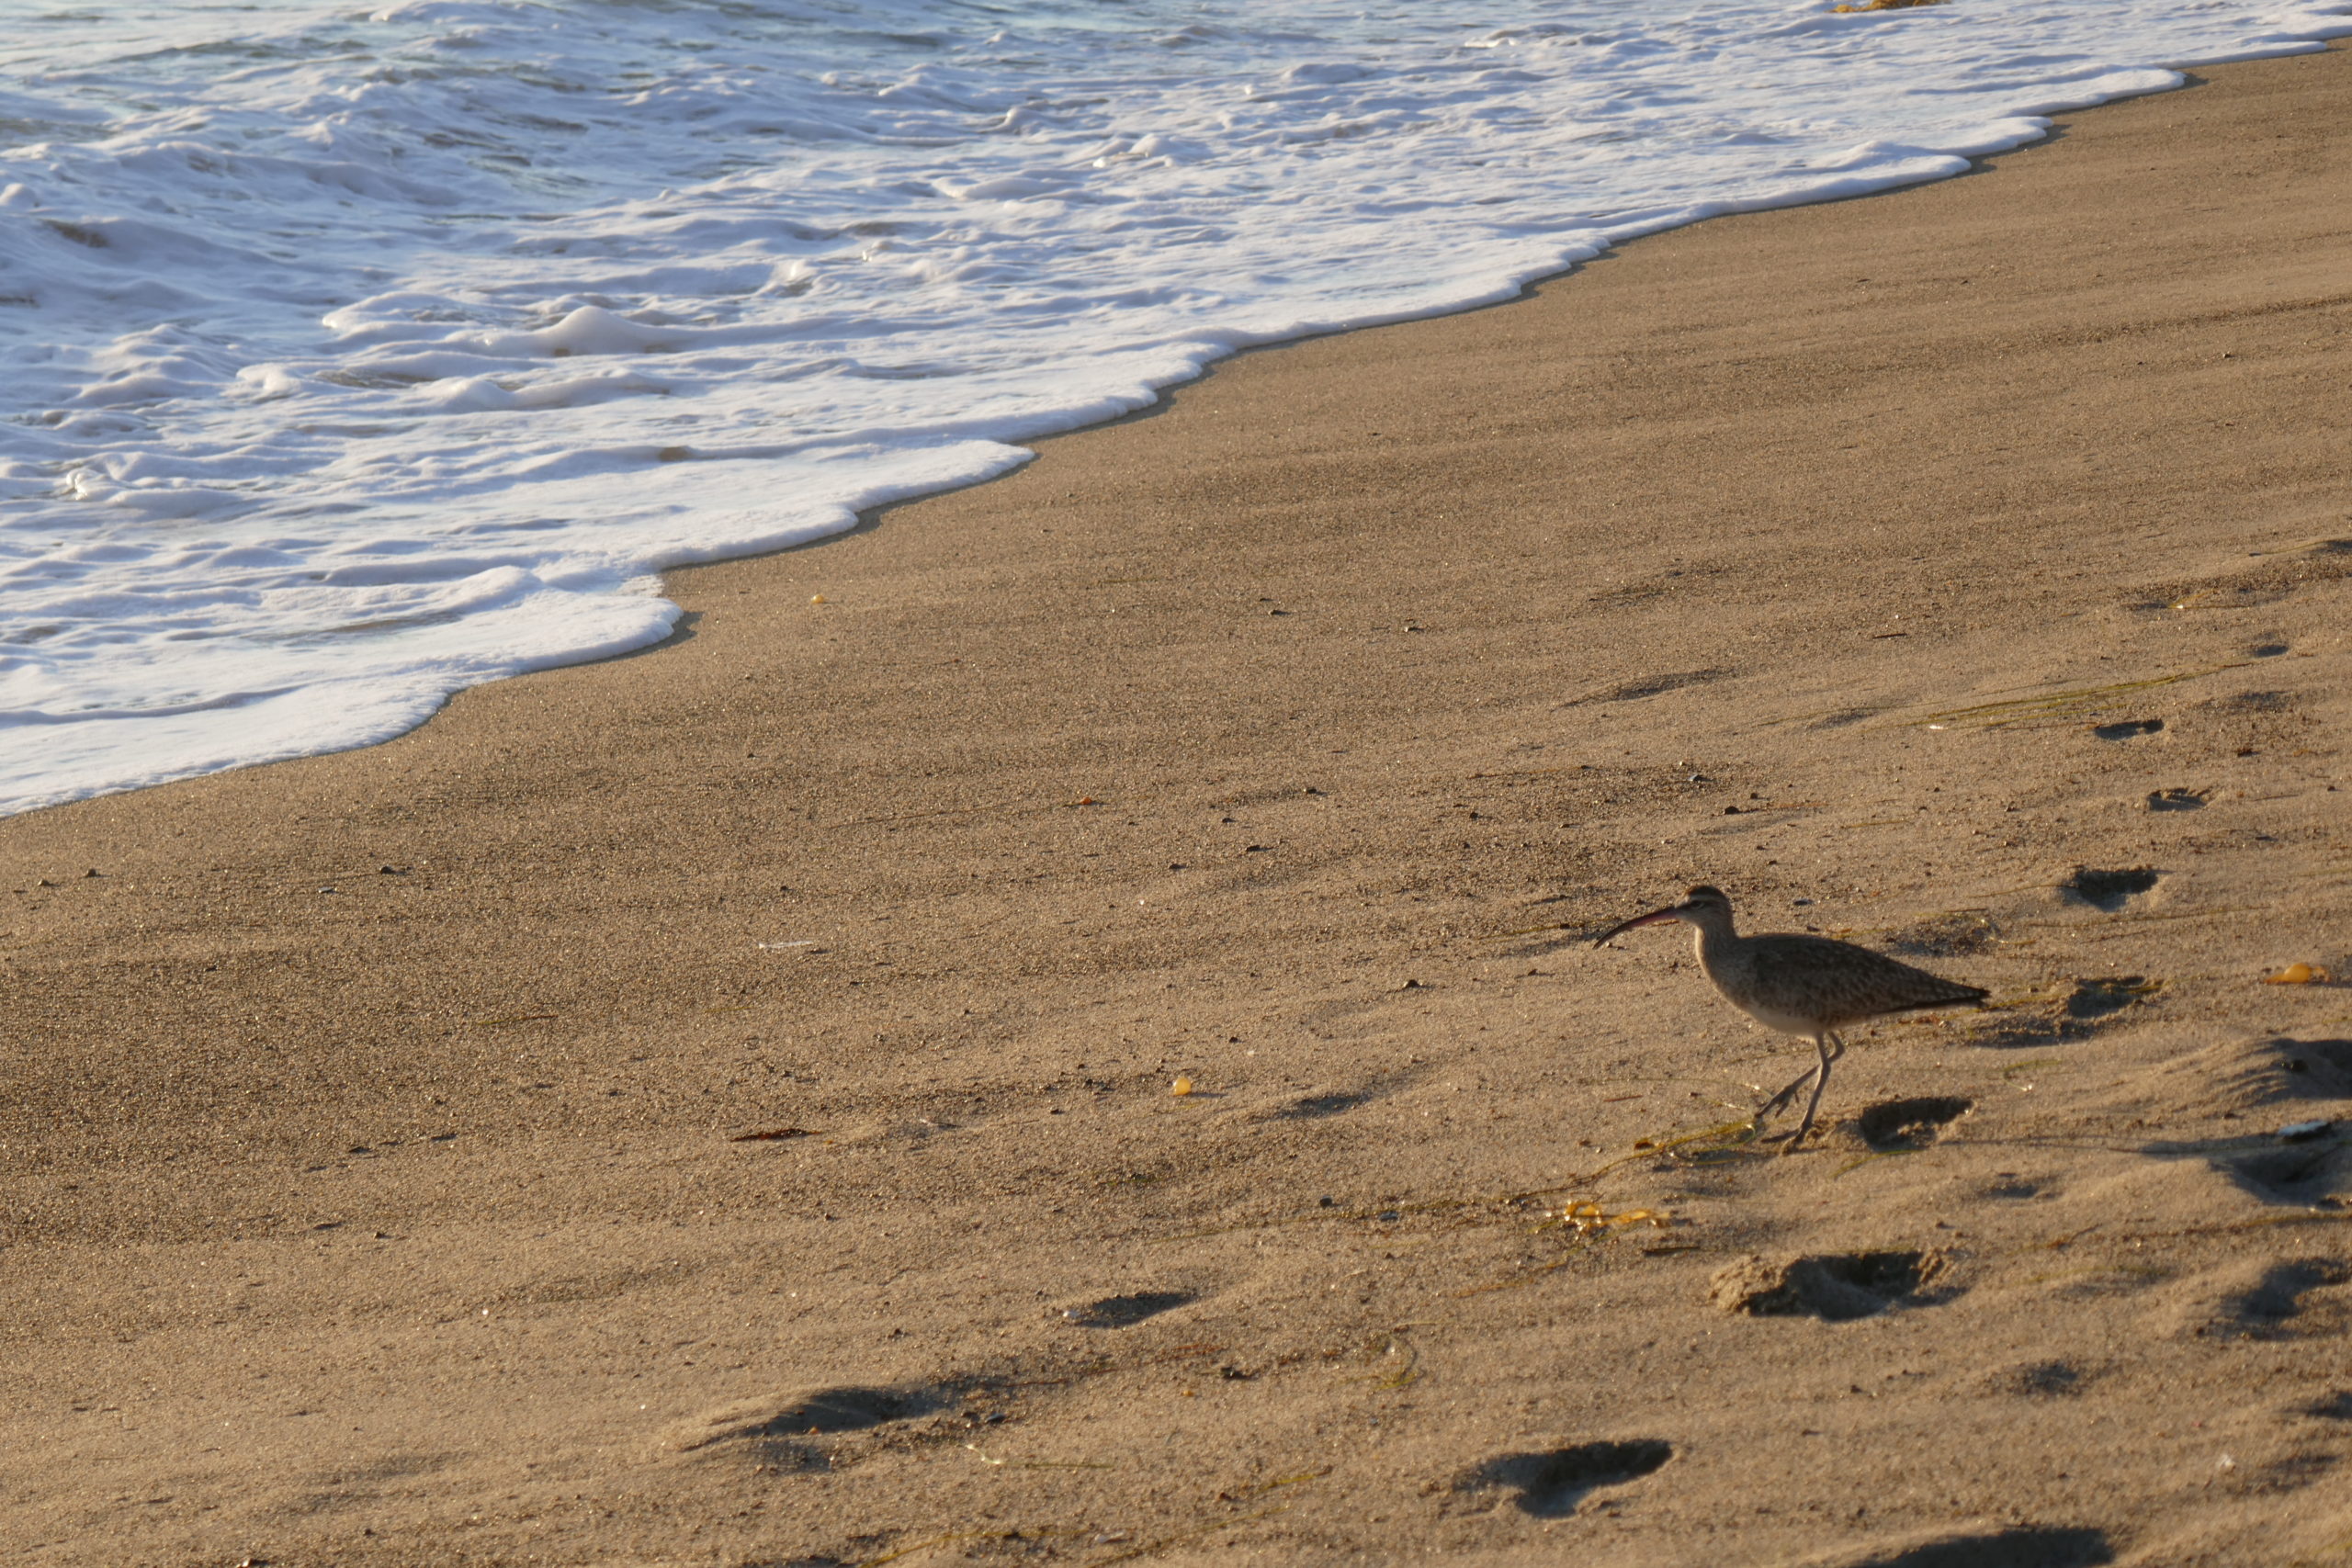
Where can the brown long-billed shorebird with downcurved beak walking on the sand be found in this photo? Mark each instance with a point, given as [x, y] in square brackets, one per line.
[1800, 986]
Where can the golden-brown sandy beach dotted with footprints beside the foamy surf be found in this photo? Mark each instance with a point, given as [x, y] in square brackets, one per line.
[373, 1125]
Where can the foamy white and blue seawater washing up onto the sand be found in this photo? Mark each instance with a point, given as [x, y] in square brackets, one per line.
[361, 356]
